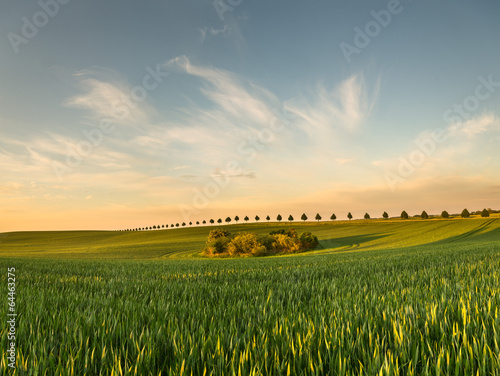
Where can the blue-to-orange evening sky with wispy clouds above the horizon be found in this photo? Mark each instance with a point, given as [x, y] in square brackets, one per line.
[121, 115]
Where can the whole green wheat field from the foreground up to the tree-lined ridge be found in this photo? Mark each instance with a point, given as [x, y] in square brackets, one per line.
[377, 297]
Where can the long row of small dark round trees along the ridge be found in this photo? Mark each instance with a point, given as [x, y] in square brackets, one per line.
[404, 215]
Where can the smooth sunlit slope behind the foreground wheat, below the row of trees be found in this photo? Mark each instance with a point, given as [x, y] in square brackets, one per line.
[338, 236]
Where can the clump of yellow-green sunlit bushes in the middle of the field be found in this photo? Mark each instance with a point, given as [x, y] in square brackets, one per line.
[221, 242]
